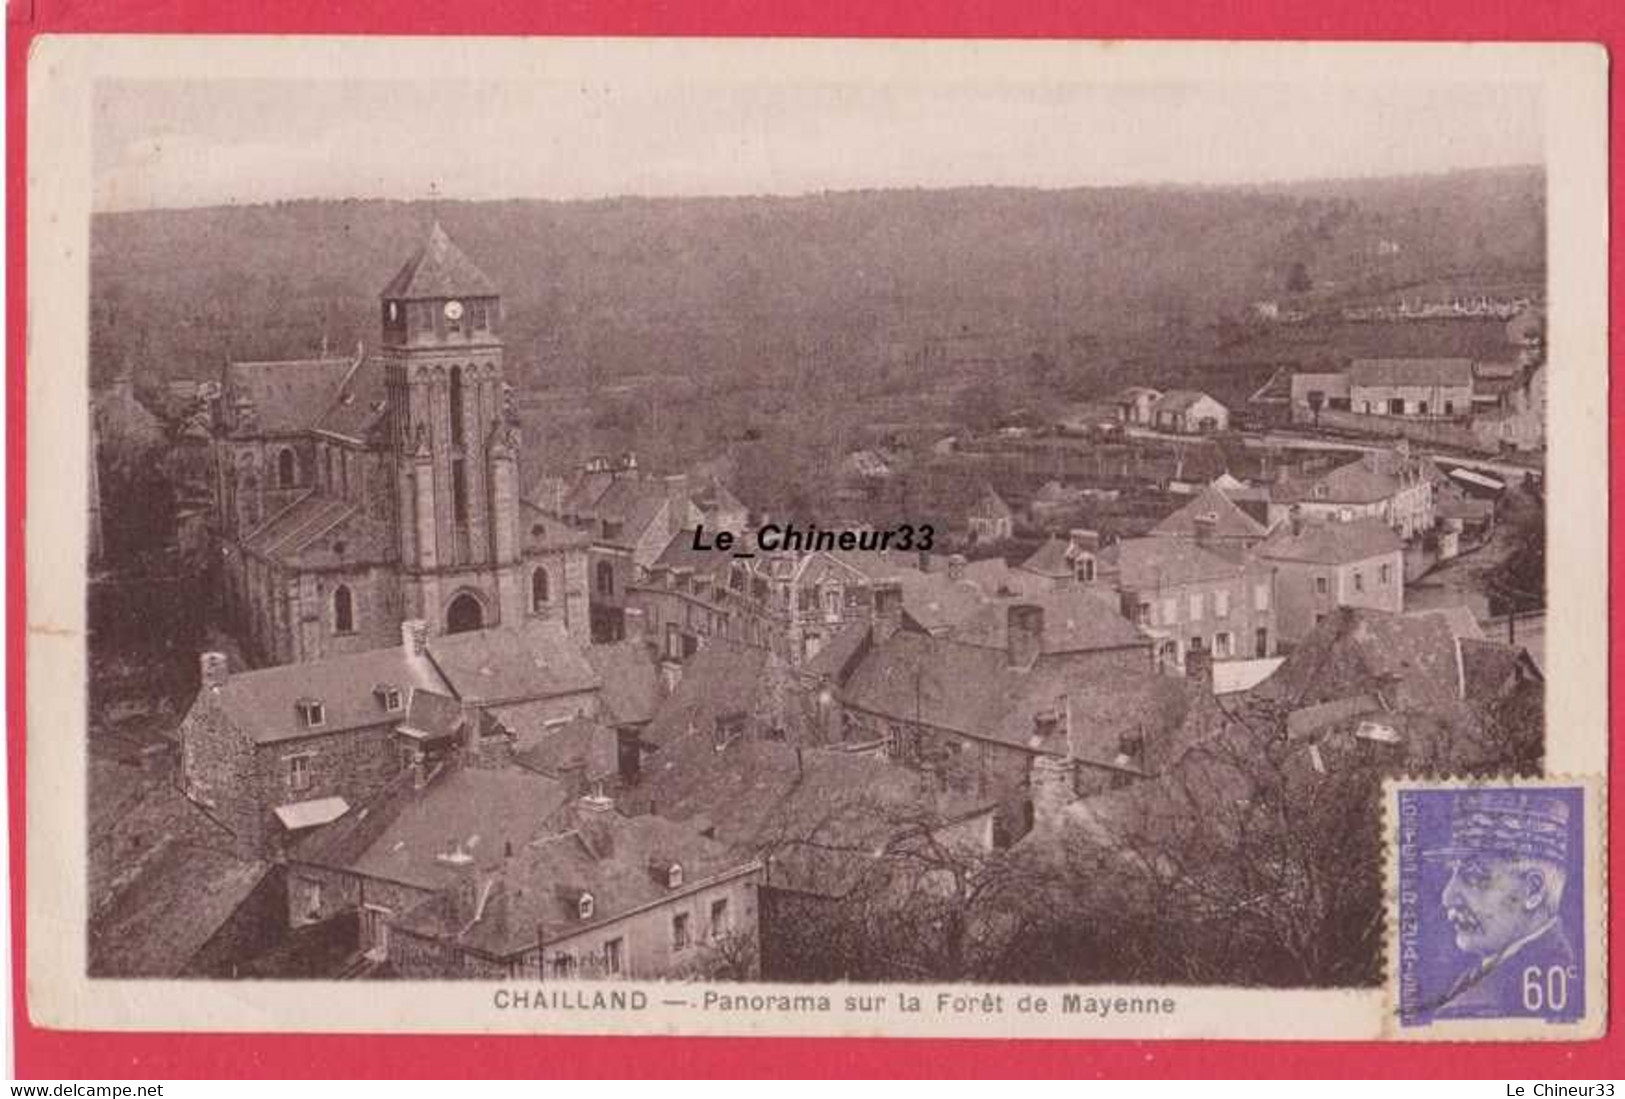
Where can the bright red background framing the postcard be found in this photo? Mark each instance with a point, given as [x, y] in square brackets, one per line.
[95, 1056]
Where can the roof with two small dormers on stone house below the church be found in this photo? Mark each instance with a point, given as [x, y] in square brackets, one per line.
[264, 703]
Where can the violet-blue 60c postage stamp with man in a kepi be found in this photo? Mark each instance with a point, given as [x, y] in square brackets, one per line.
[1491, 903]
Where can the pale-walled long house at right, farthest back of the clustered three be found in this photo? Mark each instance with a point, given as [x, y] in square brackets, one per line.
[1387, 485]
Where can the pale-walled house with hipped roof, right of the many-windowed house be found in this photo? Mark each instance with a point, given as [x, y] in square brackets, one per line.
[1325, 565]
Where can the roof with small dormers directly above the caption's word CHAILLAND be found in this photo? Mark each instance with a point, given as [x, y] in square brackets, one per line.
[605, 854]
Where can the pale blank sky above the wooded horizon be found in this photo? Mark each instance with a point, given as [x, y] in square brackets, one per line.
[189, 144]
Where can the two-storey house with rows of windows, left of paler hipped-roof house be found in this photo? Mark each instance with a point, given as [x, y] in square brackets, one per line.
[1194, 597]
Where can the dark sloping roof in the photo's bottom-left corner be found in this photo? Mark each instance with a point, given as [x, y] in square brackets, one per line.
[170, 910]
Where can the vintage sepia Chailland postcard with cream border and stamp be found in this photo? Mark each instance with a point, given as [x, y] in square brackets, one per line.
[818, 537]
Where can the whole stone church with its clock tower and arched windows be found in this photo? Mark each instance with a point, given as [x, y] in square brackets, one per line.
[353, 493]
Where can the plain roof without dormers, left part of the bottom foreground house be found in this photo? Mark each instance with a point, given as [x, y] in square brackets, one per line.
[404, 833]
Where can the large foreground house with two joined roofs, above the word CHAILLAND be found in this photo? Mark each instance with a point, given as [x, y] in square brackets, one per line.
[498, 874]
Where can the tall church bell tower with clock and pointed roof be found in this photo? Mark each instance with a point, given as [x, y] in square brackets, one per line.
[456, 454]
